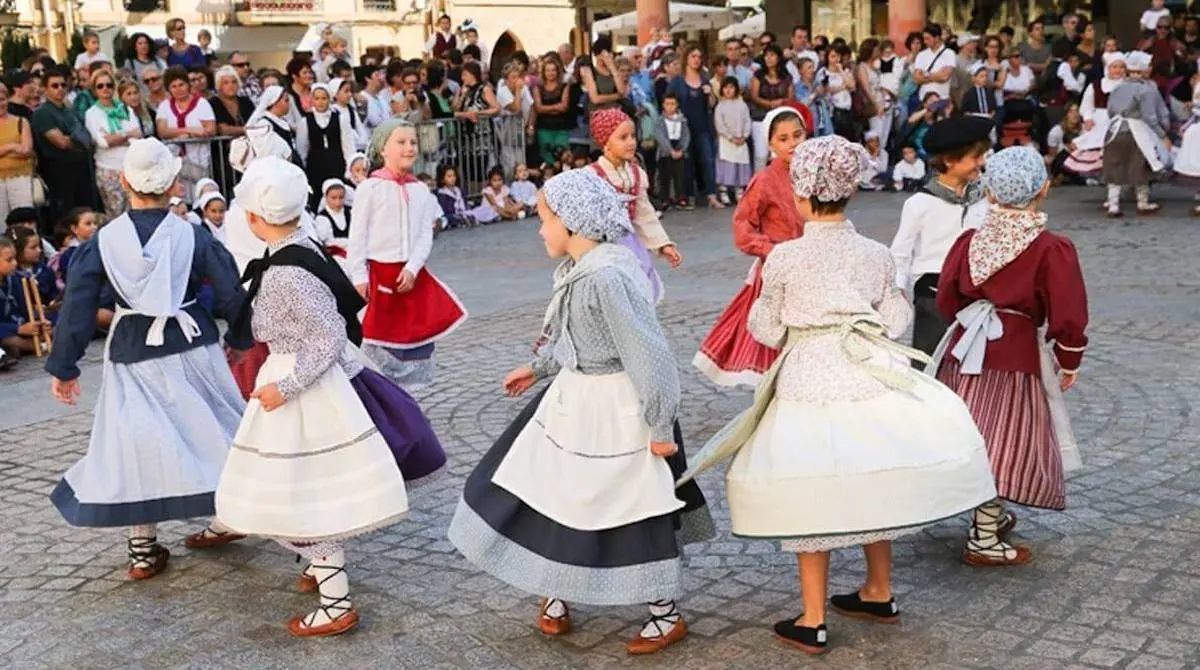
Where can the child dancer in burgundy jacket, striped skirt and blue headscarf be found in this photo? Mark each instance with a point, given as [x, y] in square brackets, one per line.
[1009, 289]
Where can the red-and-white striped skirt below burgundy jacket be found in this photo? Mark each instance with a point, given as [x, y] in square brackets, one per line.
[1012, 412]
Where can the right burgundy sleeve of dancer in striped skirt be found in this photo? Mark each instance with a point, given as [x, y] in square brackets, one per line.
[1063, 291]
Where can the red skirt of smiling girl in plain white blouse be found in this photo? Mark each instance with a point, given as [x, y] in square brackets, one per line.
[405, 321]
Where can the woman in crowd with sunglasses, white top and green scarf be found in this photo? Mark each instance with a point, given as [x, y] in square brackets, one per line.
[112, 127]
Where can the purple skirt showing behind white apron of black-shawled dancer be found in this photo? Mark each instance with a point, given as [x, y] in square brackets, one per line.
[403, 424]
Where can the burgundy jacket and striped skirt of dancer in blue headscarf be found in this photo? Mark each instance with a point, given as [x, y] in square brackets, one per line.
[1040, 297]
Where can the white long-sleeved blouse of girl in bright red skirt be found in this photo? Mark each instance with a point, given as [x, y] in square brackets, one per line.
[380, 205]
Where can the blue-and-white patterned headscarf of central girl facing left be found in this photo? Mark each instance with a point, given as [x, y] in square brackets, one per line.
[589, 206]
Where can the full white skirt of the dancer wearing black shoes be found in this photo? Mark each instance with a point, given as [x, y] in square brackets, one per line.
[893, 464]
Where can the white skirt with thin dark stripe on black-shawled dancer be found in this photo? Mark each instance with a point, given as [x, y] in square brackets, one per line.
[315, 470]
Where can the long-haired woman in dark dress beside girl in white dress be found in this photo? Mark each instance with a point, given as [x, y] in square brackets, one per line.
[697, 101]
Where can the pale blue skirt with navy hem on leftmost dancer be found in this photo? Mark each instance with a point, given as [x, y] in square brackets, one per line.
[160, 438]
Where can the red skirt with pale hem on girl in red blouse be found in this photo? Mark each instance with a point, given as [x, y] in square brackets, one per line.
[730, 356]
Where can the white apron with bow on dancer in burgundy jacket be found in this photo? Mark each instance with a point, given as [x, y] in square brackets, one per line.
[981, 324]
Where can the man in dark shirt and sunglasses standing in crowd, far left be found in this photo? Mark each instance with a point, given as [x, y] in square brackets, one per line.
[64, 149]
